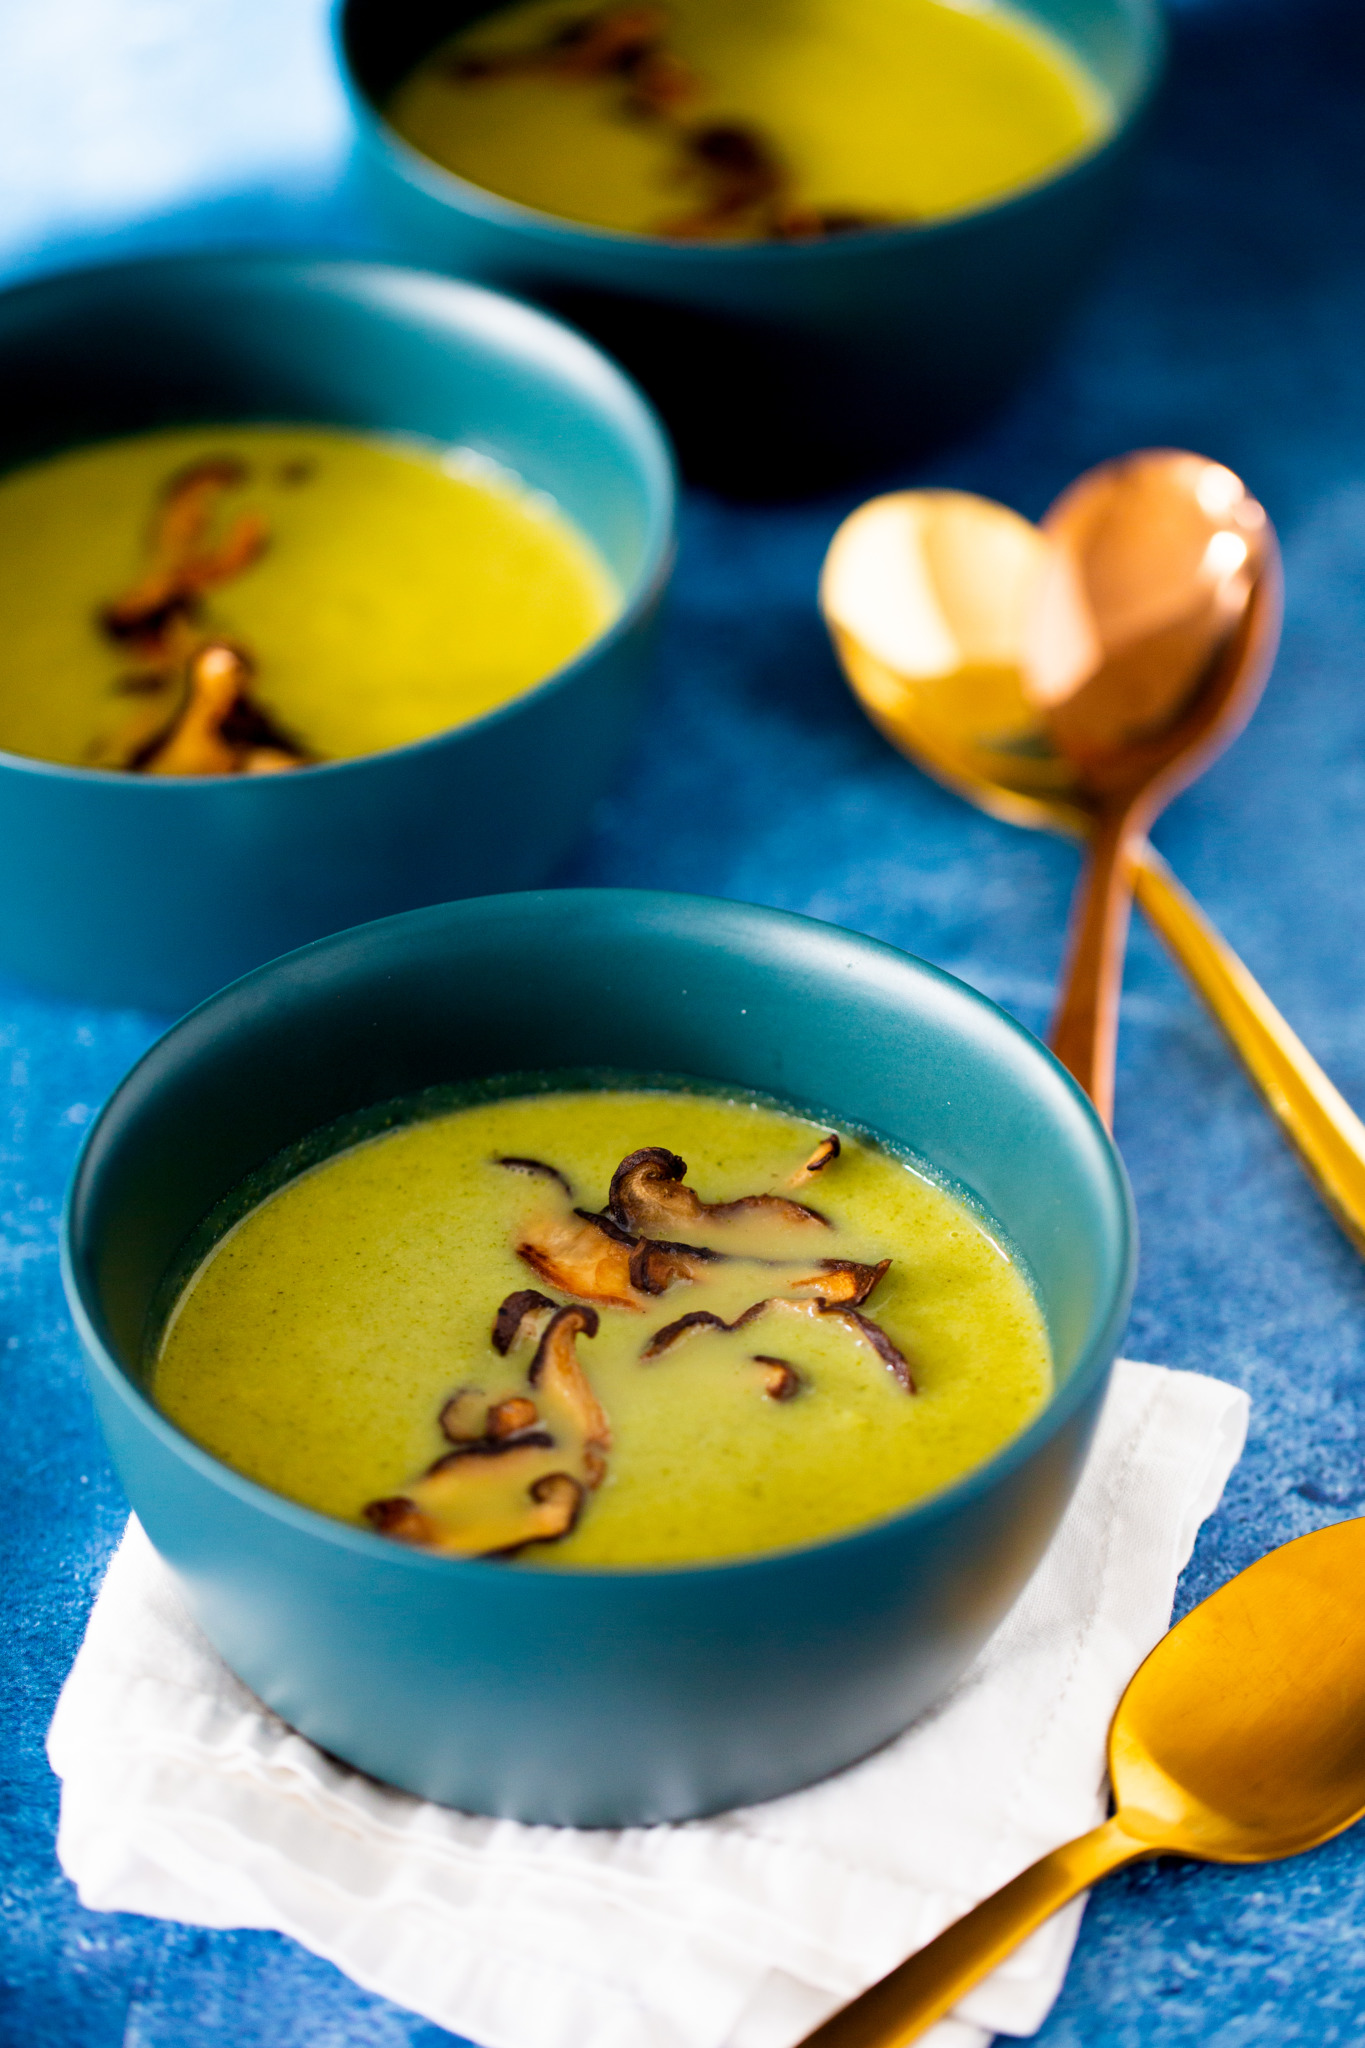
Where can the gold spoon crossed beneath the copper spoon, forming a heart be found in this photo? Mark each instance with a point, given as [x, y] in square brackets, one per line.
[957, 683]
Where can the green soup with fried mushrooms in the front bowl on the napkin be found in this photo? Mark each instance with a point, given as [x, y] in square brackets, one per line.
[341, 1340]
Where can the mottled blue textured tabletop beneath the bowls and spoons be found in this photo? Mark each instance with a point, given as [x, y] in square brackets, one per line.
[1231, 321]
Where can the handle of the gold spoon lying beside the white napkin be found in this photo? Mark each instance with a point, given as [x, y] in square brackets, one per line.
[920, 1992]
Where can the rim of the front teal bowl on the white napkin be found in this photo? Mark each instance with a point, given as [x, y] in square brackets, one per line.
[1067, 1400]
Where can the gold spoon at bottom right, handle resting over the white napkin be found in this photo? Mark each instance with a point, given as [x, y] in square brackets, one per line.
[1237, 1742]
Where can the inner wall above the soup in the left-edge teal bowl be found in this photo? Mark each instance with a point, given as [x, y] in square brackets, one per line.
[353, 345]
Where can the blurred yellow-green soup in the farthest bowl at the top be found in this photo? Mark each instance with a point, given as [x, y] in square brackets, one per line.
[781, 120]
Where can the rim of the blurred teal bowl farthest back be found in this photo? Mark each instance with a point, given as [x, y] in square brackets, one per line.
[464, 198]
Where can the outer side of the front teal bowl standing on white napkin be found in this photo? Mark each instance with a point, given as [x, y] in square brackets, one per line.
[611, 1703]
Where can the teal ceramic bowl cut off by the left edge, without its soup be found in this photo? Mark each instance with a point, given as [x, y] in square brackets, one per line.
[155, 892]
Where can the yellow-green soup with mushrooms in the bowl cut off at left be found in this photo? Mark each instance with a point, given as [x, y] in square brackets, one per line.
[355, 595]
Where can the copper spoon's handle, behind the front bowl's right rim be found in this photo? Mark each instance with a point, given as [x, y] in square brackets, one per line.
[1088, 1017]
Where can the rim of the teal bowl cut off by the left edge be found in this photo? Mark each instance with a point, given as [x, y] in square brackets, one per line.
[650, 447]
